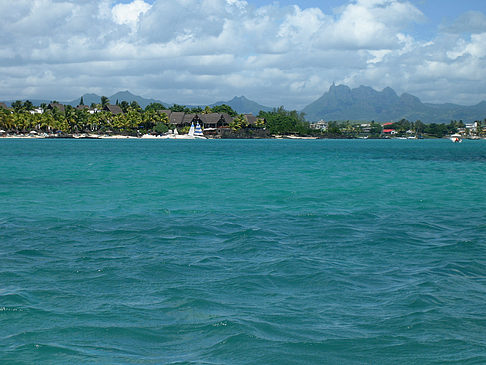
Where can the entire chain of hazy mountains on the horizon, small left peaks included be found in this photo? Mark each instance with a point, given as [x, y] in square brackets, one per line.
[339, 103]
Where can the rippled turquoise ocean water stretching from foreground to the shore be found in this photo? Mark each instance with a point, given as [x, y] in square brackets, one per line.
[242, 252]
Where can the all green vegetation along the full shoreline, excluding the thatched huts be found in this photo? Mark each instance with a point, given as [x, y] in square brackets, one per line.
[65, 120]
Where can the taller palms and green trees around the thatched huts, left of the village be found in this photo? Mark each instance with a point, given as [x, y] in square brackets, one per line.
[135, 120]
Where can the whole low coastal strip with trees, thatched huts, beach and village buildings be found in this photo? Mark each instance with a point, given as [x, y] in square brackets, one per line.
[124, 119]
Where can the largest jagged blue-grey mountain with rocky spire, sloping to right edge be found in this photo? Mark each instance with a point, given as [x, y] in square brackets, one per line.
[366, 104]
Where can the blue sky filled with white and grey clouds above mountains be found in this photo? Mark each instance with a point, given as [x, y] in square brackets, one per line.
[285, 52]
